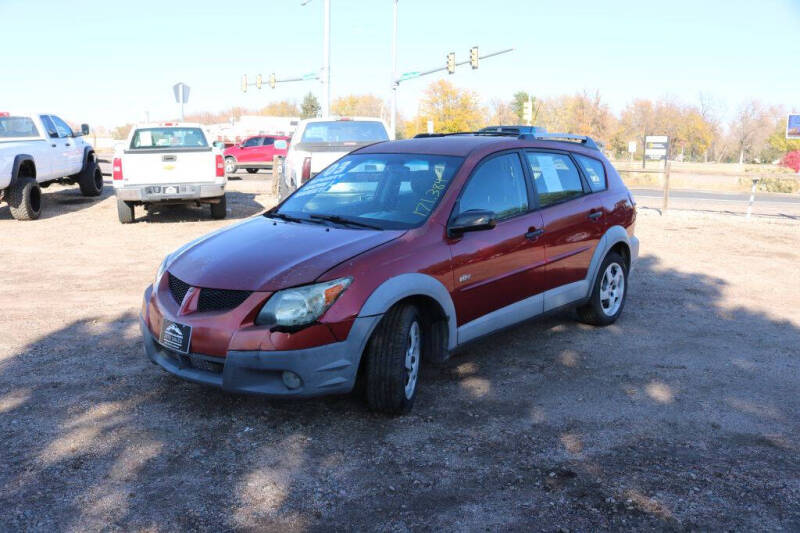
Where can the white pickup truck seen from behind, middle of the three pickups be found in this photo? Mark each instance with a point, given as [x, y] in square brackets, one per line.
[168, 163]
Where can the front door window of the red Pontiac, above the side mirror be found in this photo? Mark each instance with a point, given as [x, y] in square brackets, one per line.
[498, 186]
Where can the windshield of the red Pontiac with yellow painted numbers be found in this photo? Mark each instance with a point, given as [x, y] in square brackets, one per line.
[389, 191]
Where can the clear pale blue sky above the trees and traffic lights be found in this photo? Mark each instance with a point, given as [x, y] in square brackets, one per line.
[106, 62]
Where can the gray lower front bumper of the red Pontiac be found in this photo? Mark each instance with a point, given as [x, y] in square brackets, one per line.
[328, 369]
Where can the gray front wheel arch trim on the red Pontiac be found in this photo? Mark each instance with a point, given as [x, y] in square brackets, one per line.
[403, 286]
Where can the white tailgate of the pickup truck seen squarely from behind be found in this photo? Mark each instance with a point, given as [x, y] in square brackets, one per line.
[182, 165]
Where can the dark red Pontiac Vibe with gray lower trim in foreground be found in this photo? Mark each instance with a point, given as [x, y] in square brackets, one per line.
[399, 252]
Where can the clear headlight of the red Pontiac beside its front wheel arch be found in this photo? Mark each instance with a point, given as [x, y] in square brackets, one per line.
[301, 305]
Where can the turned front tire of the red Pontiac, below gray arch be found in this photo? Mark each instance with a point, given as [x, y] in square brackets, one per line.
[394, 355]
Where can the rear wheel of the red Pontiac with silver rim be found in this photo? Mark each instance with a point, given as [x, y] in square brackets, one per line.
[608, 294]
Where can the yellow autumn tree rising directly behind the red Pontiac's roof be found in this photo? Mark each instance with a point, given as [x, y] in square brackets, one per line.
[451, 109]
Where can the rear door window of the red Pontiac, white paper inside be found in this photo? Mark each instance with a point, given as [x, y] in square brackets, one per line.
[555, 177]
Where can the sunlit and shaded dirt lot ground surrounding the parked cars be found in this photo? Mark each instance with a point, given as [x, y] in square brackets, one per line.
[684, 415]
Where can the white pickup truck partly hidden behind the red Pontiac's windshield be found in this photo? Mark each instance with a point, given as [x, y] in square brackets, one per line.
[318, 142]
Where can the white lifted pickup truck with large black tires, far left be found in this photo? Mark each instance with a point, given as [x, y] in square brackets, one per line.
[39, 149]
